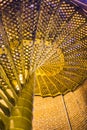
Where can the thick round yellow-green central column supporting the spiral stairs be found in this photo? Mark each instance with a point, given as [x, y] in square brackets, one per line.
[21, 116]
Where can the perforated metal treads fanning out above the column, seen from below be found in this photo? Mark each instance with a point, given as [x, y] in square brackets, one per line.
[47, 37]
